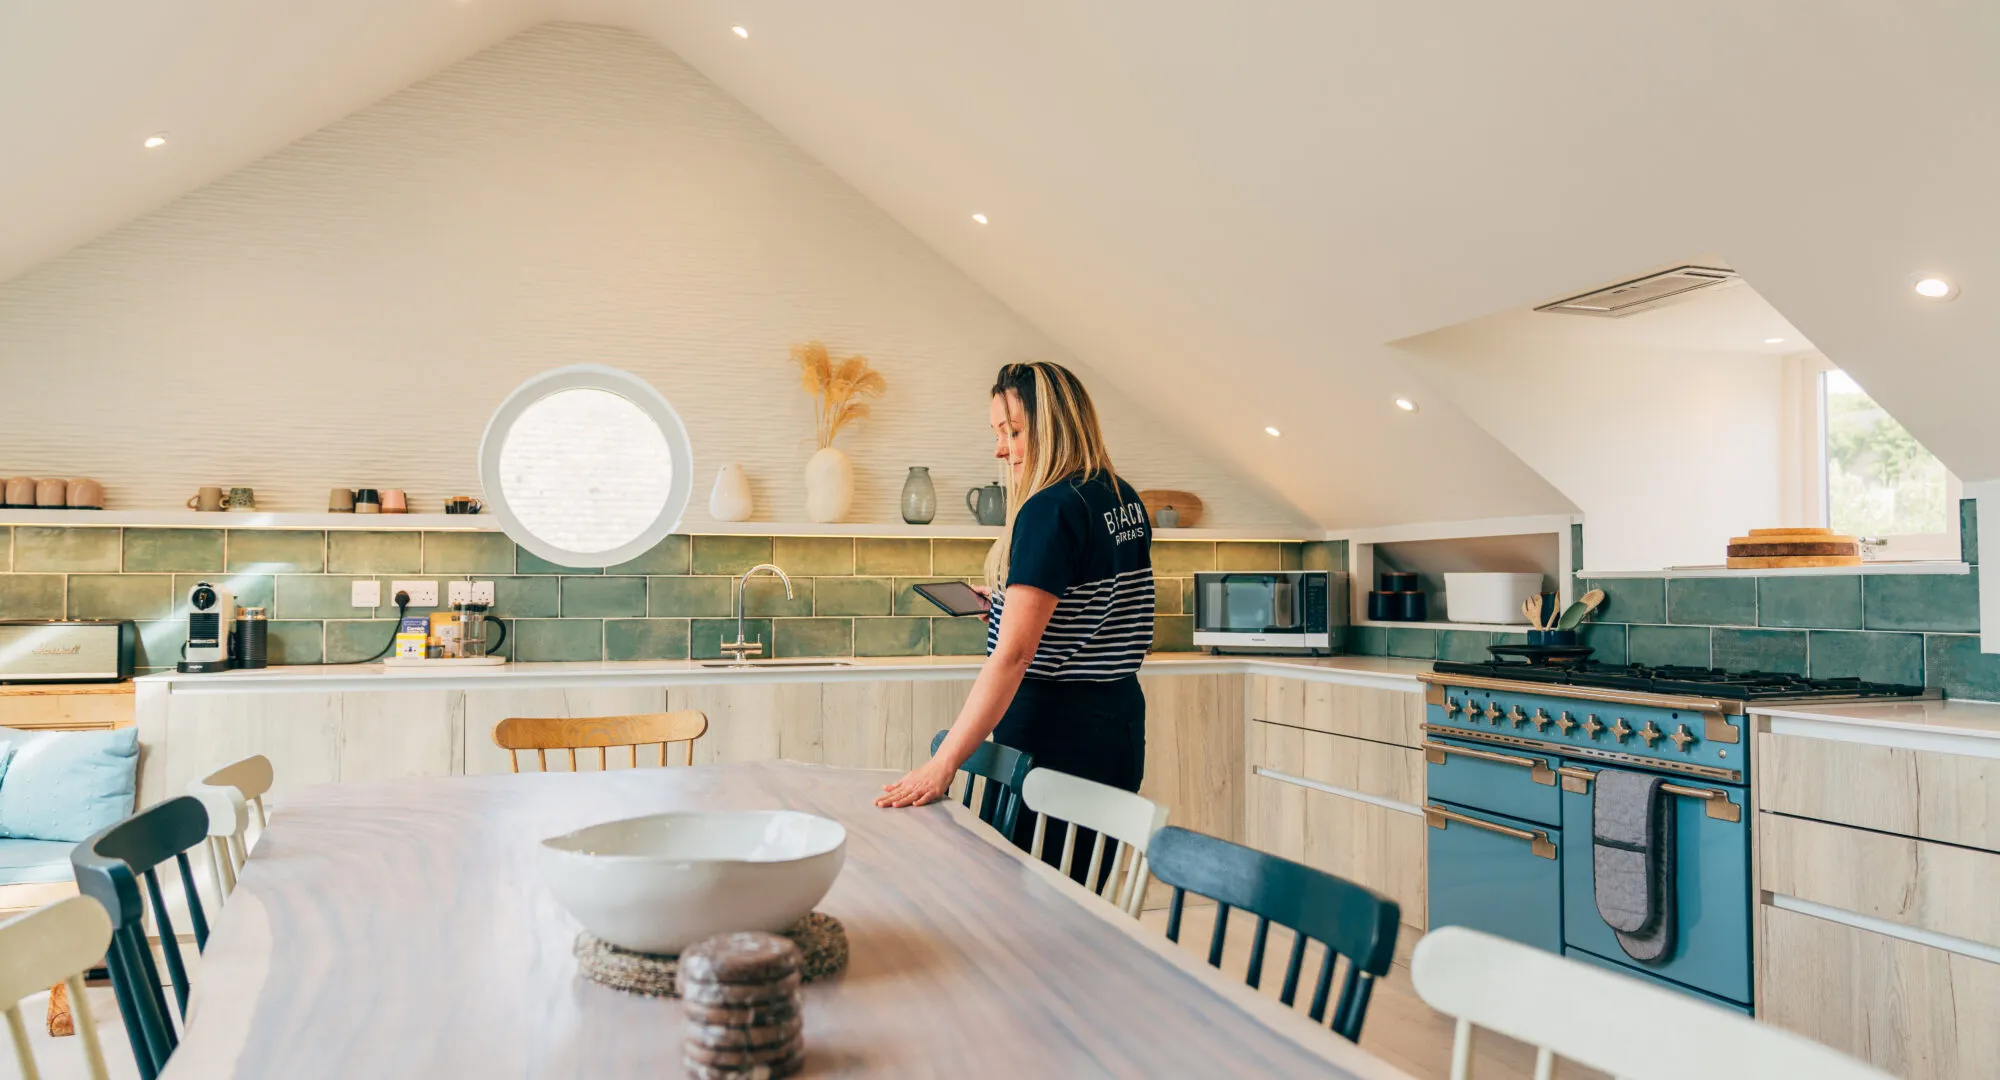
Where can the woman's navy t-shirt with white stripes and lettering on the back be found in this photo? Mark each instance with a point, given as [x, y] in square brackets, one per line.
[1085, 541]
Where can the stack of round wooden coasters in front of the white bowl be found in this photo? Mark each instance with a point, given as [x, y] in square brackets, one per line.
[743, 1009]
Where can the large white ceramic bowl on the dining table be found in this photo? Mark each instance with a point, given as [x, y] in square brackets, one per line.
[669, 881]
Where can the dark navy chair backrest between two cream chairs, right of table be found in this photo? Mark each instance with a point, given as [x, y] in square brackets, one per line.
[1351, 921]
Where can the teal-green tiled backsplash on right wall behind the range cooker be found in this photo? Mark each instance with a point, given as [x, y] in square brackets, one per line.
[1913, 629]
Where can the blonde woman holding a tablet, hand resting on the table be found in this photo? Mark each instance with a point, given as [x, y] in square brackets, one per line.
[1071, 611]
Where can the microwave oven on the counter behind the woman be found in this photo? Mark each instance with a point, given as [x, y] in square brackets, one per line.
[1289, 611]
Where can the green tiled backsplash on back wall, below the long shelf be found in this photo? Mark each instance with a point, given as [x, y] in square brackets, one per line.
[853, 597]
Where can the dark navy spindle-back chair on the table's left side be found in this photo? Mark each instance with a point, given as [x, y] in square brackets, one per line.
[111, 869]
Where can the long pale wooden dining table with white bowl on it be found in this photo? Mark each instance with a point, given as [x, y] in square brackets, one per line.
[403, 929]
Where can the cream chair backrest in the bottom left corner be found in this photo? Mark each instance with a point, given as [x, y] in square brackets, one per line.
[45, 947]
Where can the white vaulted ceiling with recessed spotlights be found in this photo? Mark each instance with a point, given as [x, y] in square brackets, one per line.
[1229, 209]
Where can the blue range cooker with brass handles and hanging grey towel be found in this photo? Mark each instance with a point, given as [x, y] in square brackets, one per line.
[1513, 767]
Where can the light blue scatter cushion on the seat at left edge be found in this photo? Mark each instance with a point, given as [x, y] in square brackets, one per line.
[67, 785]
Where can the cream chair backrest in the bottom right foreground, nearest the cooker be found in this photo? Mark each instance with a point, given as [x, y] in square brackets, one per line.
[1631, 1029]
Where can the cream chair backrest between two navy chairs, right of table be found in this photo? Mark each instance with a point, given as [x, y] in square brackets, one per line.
[1115, 815]
